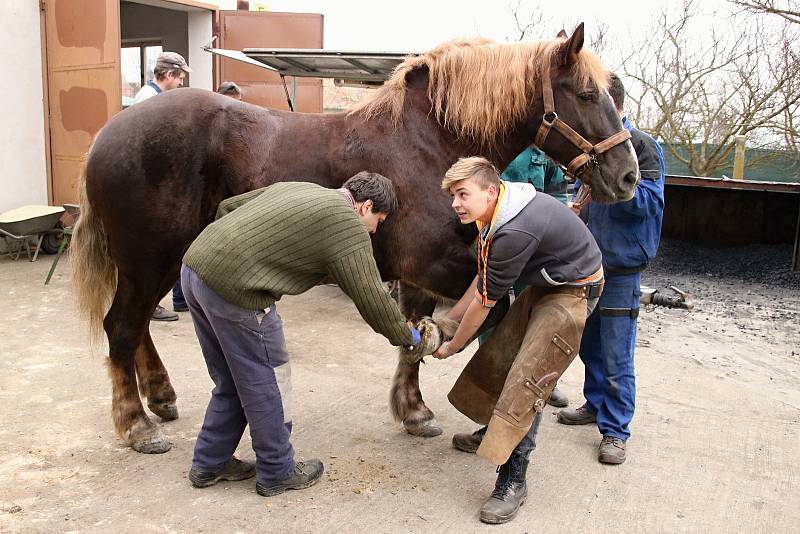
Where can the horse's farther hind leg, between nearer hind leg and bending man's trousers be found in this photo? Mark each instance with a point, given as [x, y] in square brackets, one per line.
[154, 383]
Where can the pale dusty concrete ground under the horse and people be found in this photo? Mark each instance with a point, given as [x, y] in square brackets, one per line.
[715, 446]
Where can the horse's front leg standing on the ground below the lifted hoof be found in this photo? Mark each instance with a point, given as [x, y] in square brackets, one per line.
[405, 399]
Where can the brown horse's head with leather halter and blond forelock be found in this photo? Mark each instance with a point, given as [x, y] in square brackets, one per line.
[580, 127]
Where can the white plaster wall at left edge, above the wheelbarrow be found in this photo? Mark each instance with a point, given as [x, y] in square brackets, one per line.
[23, 173]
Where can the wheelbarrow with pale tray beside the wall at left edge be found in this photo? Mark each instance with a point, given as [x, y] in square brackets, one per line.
[24, 227]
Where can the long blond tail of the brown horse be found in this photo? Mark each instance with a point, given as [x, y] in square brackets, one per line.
[94, 275]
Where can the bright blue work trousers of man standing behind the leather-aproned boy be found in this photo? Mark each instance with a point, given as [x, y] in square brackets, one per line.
[607, 349]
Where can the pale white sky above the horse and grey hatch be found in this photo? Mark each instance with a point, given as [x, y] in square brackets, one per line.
[418, 25]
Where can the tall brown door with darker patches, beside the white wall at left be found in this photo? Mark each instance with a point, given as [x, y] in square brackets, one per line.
[82, 55]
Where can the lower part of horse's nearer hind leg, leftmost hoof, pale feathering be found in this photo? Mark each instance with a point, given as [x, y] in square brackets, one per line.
[126, 325]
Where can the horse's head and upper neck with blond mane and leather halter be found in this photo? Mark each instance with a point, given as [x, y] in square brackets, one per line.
[488, 95]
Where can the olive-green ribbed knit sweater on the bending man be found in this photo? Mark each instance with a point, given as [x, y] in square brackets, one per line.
[282, 240]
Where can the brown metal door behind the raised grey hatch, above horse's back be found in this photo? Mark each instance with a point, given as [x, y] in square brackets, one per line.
[251, 29]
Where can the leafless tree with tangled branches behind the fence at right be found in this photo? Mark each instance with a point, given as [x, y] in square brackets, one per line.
[696, 96]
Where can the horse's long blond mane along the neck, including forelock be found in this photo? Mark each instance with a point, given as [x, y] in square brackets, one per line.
[480, 89]
